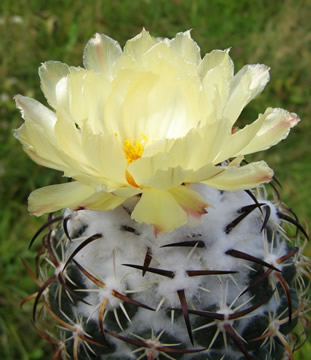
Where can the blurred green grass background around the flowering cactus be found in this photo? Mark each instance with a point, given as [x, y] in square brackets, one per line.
[276, 33]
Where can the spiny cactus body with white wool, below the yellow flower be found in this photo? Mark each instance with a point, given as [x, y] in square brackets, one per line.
[228, 288]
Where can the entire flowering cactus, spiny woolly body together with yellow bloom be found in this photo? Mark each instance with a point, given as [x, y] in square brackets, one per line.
[169, 245]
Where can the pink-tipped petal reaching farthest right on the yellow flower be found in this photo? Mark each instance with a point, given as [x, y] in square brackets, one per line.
[275, 128]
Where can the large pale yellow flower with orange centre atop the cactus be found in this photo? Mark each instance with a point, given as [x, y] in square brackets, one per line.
[147, 121]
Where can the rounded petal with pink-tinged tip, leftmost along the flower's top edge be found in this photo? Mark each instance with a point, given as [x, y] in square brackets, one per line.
[101, 53]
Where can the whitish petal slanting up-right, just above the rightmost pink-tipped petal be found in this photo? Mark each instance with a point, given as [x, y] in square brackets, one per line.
[245, 86]
